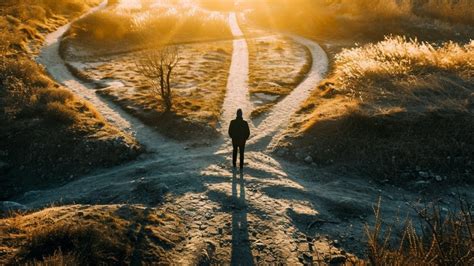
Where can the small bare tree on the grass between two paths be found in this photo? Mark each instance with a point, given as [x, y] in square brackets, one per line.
[157, 66]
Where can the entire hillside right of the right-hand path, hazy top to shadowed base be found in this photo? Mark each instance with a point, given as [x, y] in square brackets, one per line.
[397, 103]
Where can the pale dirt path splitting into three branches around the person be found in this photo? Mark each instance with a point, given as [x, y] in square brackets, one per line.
[269, 213]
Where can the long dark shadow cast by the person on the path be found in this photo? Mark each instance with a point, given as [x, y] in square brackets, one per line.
[241, 253]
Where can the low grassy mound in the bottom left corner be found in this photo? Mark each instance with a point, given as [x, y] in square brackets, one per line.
[90, 235]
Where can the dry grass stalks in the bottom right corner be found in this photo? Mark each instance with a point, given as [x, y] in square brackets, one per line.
[446, 238]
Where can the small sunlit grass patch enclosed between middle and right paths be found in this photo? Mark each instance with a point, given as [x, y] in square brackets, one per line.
[276, 66]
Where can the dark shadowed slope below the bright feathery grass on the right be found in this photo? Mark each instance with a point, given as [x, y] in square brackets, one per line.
[400, 147]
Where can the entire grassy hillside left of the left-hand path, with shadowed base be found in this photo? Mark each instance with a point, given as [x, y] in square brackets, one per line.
[47, 134]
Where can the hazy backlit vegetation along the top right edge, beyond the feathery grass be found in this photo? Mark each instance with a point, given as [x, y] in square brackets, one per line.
[363, 20]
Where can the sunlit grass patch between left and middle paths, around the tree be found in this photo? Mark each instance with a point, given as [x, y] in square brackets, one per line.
[198, 88]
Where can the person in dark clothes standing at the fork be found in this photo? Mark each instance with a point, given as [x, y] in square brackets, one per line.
[239, 132]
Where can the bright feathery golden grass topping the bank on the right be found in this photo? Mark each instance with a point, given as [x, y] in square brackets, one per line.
[406, 65]
